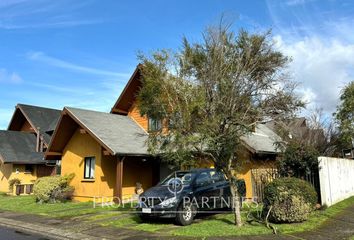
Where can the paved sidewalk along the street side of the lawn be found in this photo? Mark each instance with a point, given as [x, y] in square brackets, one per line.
[339, 227]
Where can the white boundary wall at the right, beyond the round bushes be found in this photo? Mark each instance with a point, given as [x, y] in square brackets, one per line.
[336, 179]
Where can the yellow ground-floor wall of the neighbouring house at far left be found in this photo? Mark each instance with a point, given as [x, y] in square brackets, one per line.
[8, 172]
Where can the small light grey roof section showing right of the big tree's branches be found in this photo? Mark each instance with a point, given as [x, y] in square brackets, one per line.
[263, 140]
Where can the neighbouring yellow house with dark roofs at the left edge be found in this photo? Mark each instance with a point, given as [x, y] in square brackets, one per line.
[22, 147]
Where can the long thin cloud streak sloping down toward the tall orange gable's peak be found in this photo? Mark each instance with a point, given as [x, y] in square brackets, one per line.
[42, 57]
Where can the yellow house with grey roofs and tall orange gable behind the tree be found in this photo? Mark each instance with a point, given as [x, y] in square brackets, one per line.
[108, 154]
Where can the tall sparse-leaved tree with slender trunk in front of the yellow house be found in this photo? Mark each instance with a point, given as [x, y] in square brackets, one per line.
[210, 94]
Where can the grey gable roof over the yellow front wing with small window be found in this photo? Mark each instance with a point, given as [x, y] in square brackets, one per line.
[118, 134]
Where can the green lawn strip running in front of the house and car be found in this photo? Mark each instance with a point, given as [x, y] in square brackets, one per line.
[207, 226]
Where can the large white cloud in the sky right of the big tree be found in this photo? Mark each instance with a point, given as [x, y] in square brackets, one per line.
[322, 67]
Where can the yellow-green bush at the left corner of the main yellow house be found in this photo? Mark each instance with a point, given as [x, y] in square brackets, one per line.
[53, 189]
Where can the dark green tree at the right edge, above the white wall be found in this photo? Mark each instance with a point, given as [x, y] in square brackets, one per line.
[345, 115]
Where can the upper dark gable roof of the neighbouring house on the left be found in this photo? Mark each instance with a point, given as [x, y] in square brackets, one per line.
[39, 117]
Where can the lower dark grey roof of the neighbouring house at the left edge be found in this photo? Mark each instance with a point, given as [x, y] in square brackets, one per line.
[18, 147]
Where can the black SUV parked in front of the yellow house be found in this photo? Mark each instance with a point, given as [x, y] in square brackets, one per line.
[184, 193]
